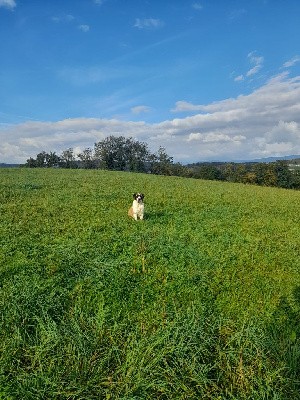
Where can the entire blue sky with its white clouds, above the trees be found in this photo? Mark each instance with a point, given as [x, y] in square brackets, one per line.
[208, 80]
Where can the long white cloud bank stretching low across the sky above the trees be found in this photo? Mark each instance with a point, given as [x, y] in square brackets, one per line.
[264, 123]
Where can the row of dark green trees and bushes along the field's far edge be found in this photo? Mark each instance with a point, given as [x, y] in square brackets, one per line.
[126, 154]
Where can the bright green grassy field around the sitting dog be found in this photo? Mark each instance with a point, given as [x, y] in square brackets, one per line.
[201, 300]
